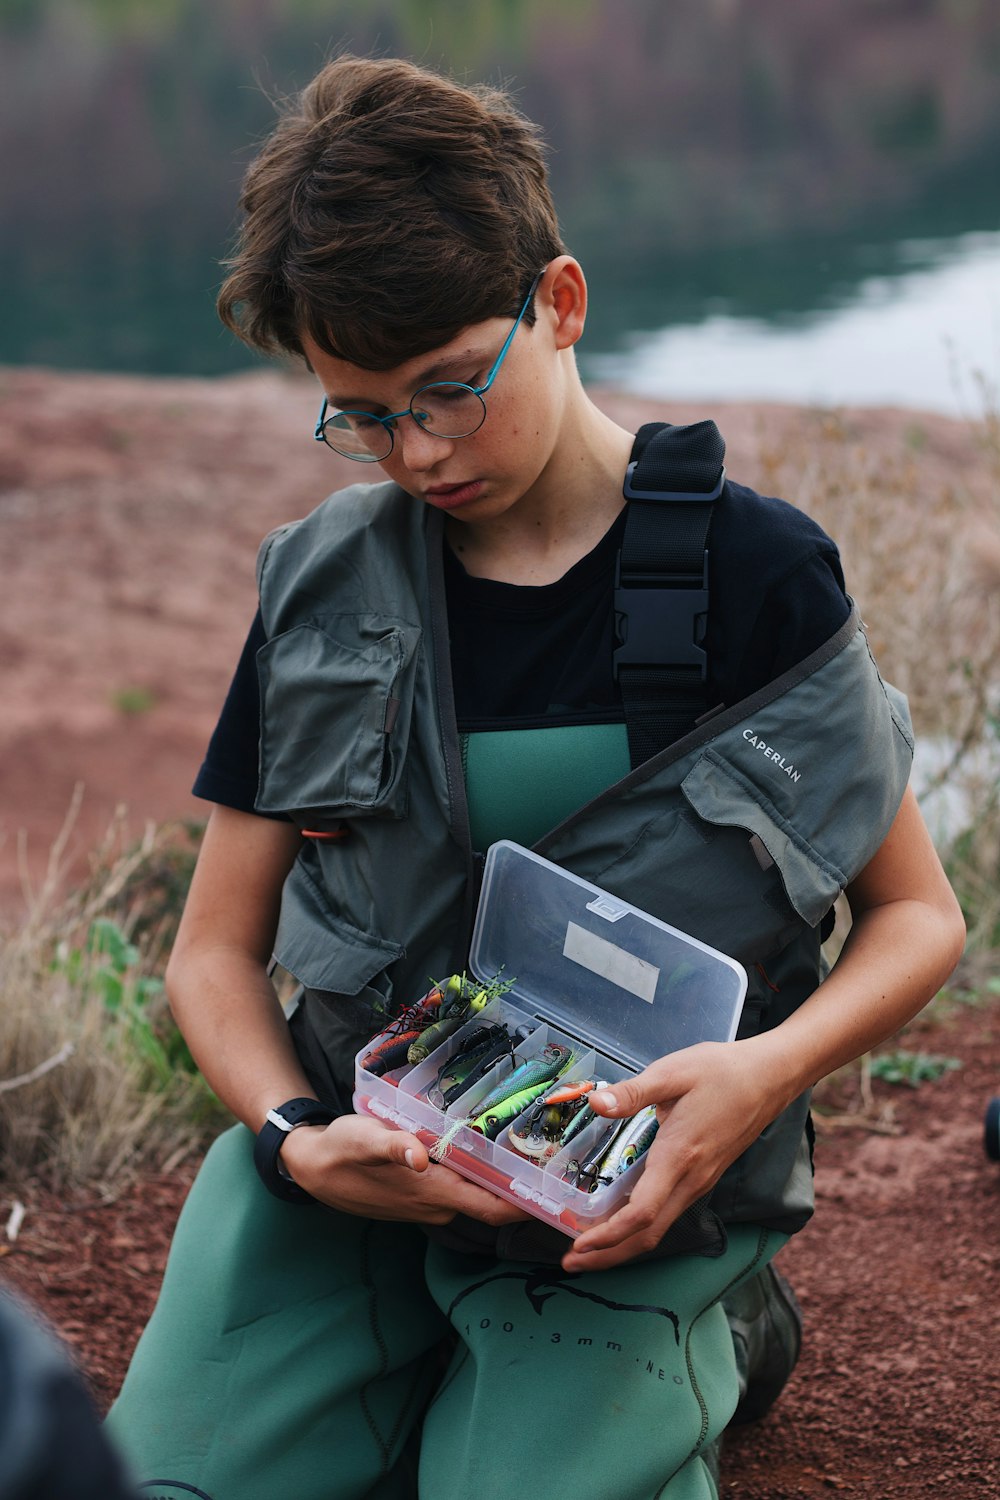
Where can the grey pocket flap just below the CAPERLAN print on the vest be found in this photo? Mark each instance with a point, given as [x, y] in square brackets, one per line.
[728, 799]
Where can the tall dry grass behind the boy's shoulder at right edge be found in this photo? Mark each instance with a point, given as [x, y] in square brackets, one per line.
[920, 535]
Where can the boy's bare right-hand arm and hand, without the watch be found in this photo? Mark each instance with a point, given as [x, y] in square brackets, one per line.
[716, 1099]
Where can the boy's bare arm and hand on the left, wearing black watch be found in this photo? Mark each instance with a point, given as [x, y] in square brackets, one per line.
[238, 1033]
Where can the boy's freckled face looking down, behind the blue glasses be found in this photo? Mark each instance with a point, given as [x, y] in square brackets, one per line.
[481, 476]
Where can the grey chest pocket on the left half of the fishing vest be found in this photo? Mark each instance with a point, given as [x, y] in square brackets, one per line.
[337, 704]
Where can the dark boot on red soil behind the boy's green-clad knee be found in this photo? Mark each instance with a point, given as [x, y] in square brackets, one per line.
[767, 1327]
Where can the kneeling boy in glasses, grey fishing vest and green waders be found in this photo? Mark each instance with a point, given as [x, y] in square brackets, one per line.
[433, 668]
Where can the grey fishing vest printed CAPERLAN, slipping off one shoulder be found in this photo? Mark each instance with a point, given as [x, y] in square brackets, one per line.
[743, 833]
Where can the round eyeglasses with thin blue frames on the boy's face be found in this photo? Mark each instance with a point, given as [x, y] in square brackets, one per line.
[448, 409]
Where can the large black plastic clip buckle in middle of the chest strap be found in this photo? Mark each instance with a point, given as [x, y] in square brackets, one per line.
[659, 626]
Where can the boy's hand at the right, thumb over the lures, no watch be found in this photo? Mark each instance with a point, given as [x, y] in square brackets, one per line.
[713, 1102]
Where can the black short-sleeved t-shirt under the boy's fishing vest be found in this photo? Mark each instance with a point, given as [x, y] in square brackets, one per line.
[540, 656]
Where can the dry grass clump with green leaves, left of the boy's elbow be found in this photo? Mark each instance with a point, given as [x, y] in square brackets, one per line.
[95, 1078]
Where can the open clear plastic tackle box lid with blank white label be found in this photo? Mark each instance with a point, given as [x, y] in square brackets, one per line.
[597, 968]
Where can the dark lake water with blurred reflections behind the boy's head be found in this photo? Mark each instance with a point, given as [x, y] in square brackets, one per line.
[771, 203]
